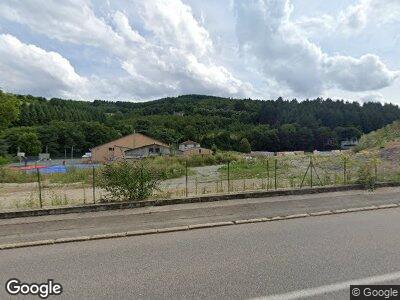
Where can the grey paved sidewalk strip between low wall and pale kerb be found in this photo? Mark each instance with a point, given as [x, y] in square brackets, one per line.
[72, 225]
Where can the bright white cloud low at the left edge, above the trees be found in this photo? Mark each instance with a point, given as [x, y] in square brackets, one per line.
[30, 69]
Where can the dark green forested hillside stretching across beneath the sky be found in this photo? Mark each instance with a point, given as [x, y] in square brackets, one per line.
[34, 123]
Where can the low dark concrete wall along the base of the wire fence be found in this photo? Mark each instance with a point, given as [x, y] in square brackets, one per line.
[197, 199]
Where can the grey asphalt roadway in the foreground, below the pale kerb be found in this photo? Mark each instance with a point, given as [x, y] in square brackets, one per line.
[314, 256]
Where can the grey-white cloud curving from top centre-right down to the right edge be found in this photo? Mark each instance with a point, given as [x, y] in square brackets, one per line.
[292, 59]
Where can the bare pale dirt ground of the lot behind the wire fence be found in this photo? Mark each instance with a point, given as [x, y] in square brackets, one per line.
[205, 180]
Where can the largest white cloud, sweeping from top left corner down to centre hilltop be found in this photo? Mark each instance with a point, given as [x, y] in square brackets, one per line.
[174, 56]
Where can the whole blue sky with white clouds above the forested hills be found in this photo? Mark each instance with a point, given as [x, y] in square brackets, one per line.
[141, 50]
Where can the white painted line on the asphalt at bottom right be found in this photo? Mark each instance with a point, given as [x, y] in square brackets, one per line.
[331, 287]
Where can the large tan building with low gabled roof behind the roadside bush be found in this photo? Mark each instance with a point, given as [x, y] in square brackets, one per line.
[118, 148]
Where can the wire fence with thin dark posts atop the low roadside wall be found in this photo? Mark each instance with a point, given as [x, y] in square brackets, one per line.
[38, 186]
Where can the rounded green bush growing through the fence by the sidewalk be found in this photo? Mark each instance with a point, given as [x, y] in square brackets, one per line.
[129, 181]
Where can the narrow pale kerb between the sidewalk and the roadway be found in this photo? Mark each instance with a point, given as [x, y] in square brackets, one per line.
[191, 227]
